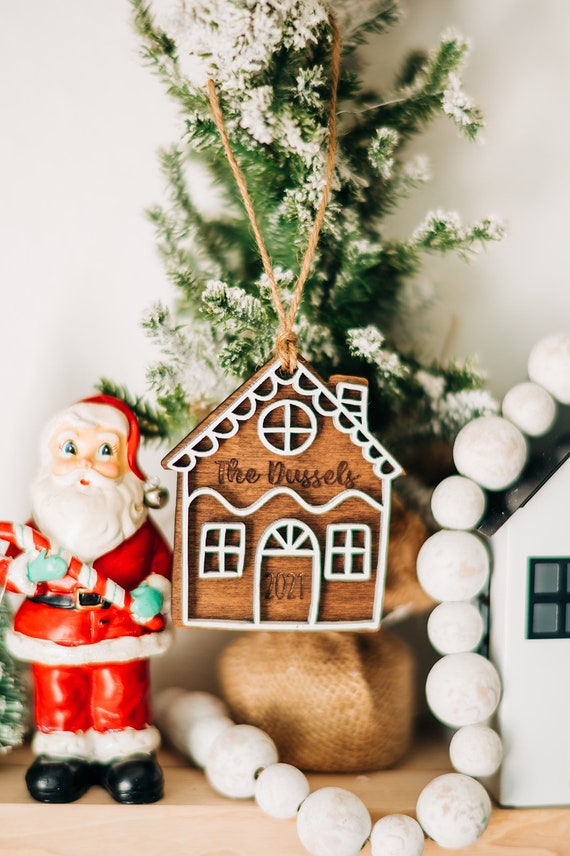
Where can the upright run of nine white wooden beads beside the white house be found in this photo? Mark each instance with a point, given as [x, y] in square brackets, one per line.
[489, 452]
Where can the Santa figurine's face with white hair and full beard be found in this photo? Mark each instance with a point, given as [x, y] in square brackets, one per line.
[86, 499]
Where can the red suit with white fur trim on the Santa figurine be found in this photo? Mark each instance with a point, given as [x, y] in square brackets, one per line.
[90, 664]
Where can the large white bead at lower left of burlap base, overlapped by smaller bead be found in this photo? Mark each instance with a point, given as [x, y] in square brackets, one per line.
[236, 757]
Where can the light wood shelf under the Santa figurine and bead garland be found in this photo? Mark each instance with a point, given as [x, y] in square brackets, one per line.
[192, 820]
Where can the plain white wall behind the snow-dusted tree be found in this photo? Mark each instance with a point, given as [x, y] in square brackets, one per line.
[81, 122]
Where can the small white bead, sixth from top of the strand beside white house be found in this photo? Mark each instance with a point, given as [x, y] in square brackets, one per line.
[454, 627]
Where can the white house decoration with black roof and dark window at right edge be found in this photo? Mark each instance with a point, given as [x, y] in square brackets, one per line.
[529, 639]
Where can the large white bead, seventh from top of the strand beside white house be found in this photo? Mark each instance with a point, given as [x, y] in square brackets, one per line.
[463, 689]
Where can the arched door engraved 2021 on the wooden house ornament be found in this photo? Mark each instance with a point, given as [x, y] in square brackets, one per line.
[287, 574]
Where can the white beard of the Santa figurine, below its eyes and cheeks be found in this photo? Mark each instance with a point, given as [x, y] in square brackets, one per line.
[87, 520]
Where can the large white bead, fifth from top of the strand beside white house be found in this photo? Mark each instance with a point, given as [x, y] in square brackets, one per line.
[453, 565]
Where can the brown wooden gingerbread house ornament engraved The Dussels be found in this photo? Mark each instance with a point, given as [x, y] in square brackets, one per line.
[283, 508]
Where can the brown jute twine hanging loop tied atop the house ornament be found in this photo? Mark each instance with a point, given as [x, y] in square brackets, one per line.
[286, 339]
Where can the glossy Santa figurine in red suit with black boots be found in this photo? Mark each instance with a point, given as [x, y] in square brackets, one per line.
[90, 658]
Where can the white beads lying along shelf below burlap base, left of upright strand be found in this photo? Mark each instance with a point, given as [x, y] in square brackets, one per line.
[242, 762]
